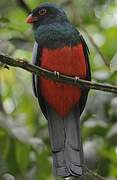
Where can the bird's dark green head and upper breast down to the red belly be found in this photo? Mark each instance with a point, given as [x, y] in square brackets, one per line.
[51, 27]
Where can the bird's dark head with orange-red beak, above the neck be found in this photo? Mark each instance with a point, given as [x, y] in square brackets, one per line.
[46, 14]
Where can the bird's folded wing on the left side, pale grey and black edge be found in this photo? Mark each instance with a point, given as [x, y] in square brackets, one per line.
[37, 50]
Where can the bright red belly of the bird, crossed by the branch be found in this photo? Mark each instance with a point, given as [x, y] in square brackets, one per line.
[68, 61]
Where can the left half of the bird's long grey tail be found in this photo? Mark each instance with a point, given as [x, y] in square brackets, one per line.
[57, 140]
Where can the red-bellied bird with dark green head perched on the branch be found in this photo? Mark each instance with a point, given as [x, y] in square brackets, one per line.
[60, 48]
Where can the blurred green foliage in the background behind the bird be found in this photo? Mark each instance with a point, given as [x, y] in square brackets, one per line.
[25, 152]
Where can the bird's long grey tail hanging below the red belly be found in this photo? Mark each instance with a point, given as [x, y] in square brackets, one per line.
[66, 144]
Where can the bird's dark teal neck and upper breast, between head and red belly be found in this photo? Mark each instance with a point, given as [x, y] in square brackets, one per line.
[56, 35]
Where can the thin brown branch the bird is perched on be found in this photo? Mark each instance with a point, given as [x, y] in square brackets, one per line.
[51, 75]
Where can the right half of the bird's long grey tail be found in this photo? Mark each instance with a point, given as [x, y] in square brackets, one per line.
[73, 146]
